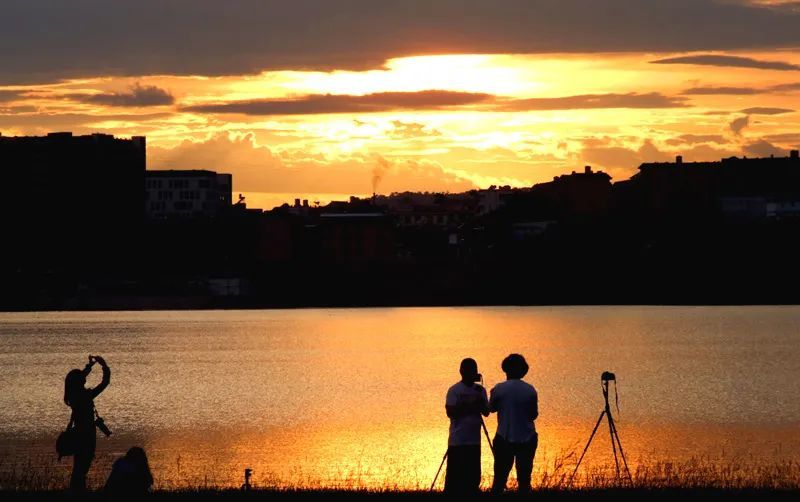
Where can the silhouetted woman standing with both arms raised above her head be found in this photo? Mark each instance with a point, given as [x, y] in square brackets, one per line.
[81, 400]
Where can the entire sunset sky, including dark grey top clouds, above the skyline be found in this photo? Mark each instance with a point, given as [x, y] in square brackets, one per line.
[312, 98]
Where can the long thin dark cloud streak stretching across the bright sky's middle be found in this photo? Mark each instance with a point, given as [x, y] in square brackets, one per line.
[433, 100]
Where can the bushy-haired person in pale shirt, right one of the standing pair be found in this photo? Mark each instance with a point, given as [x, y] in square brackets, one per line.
[517, 406]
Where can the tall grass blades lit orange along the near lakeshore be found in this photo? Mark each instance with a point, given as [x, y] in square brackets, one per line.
[554, 474]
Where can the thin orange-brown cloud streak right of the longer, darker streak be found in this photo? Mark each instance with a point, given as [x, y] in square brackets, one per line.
[593, 101]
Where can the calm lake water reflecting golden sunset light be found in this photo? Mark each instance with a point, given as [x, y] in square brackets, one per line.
[356, 397]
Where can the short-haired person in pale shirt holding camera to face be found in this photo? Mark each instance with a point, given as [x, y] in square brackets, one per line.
[465, 403]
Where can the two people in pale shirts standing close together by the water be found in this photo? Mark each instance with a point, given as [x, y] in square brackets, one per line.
[517, 406]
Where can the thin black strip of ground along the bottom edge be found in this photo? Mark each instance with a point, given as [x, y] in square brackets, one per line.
[539, 495]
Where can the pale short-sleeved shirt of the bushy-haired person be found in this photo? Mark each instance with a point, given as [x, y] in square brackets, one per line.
[514, 401]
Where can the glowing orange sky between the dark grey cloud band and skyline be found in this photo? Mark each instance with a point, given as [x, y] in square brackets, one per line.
[439, 122]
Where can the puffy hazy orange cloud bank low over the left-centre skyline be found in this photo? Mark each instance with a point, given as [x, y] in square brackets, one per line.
[257, 168]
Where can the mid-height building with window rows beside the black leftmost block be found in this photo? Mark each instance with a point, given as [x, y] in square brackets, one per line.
[186, 194]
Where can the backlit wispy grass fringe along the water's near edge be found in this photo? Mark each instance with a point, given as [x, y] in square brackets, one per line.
[551, 478]
